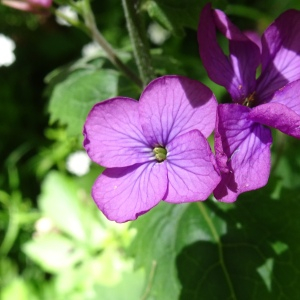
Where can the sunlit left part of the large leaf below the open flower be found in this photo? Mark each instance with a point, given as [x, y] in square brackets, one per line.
[162, 233]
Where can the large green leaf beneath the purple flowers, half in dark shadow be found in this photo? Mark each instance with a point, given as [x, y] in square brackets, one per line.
[245, 250]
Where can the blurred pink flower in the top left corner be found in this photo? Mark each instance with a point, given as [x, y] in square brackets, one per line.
[35, 6]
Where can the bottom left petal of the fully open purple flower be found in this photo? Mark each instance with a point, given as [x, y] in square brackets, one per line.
[122, 194]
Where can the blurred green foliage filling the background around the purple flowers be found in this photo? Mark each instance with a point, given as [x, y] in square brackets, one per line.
[55, 244]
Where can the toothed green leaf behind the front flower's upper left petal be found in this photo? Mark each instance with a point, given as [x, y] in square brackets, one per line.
[73, 98]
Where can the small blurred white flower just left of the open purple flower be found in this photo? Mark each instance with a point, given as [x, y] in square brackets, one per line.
[78, 163]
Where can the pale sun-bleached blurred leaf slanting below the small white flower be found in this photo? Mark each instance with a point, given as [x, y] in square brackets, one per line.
[71, 210]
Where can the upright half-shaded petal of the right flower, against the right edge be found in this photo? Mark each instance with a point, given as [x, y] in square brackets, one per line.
[280, 54]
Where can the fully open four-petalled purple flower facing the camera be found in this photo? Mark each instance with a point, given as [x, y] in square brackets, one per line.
[154, 149]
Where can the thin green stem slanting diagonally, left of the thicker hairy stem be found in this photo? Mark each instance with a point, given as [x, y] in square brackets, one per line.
[95, 34]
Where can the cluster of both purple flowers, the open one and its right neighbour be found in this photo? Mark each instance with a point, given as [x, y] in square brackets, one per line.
[156, 149]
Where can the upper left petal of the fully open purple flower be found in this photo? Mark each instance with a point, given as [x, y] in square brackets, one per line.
[113, 134]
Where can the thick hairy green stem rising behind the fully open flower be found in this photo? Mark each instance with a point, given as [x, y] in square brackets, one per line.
[139, 42]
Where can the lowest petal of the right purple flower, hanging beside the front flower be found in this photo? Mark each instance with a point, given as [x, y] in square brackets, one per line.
[242, 152]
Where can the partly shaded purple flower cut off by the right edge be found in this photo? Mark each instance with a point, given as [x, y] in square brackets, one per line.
[242, 141]
